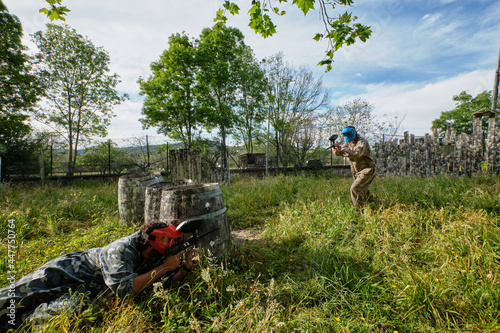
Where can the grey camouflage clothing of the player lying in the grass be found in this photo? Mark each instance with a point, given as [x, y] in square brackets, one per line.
[49, 288]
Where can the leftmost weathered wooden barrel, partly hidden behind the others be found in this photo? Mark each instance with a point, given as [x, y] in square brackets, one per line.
[131, 195]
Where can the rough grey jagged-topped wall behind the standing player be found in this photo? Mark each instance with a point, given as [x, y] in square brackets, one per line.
[431, 155]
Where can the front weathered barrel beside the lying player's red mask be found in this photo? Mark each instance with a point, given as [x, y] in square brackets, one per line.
[203, 200]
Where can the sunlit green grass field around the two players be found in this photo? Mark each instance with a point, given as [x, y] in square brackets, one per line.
[424, 258]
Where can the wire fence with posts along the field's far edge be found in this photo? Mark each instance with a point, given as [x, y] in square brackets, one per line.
[115, 156]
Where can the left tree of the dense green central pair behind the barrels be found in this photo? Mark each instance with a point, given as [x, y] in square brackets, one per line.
[171, 92]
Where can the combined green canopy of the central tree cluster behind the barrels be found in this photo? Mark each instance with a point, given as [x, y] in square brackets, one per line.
[213, 82]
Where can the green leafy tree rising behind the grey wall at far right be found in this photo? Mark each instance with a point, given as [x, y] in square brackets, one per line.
[460, 118]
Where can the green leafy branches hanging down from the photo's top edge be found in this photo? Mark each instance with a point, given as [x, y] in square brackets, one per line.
[338, 31]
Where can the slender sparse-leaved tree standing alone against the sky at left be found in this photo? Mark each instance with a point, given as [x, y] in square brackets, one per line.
[79, 92]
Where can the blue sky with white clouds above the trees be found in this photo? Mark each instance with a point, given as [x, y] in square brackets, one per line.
[421, 52]
